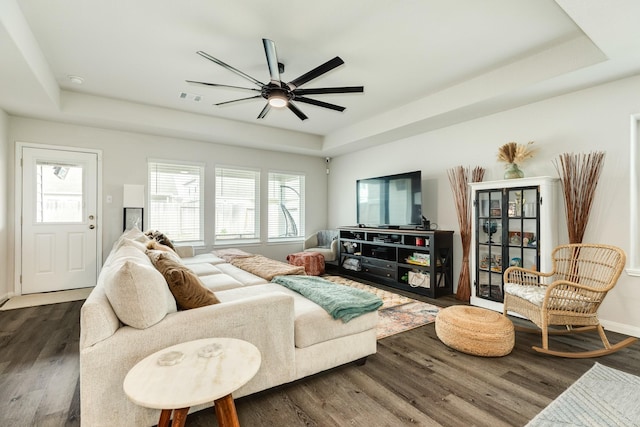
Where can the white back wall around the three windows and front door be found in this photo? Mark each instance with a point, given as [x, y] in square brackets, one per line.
[125, 162]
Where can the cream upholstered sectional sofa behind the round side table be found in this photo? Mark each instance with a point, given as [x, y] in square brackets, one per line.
[130, 315]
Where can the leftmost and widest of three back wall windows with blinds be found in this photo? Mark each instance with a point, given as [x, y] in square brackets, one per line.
[175, 200]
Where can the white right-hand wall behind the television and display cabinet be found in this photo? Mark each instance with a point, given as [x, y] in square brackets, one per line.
[589, 120]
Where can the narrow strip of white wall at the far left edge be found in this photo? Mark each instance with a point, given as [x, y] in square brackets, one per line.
[5, 182]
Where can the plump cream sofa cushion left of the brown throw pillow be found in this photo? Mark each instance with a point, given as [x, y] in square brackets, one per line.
[137, 292]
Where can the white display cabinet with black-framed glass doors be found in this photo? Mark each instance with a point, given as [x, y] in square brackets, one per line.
[513, 223]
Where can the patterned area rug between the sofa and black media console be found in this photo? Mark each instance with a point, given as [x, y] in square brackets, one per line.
[397, 313]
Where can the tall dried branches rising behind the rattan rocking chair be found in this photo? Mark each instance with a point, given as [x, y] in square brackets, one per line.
[579, 174]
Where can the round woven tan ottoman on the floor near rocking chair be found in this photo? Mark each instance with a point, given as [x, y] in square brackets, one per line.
[475, 331]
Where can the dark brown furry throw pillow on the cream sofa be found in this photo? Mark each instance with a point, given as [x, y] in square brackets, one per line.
[185, 286]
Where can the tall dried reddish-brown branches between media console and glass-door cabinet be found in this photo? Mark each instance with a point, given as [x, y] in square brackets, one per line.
[459, 180]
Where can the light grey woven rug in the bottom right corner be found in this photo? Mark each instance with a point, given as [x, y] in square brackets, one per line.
[601, 397]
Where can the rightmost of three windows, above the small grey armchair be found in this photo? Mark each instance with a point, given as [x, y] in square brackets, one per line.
[286, 206]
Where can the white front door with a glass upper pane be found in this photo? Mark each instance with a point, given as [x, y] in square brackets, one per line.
[59, 227]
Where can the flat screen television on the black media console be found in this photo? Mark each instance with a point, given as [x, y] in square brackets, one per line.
[393, 201]
